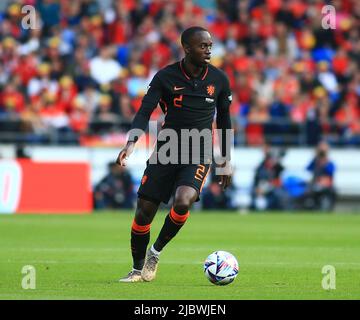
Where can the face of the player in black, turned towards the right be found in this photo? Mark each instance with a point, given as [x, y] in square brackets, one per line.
[199, 48]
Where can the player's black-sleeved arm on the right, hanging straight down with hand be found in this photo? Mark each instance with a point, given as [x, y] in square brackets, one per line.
[223, 123]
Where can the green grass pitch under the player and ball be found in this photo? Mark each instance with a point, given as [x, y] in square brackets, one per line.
[280, 256]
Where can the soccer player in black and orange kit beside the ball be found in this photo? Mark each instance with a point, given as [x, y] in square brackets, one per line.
[190, 92]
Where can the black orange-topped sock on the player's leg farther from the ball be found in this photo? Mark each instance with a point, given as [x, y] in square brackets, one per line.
[140, 237]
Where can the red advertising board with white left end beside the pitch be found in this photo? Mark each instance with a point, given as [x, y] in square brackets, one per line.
[44, 187]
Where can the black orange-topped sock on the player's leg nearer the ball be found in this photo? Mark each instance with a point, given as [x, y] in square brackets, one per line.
[173, 223]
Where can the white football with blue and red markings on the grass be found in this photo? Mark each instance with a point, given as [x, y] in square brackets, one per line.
[221, 268]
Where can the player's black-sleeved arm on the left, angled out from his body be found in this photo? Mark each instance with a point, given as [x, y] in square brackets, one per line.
[141, 120]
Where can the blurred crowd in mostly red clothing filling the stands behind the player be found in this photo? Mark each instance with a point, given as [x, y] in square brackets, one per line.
[80, 75]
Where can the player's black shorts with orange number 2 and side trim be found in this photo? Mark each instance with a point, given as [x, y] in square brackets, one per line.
[160, 181]
